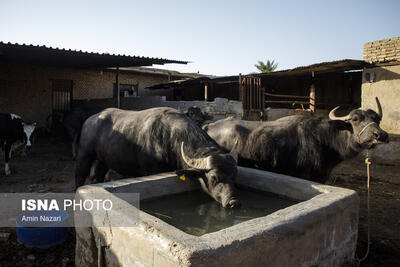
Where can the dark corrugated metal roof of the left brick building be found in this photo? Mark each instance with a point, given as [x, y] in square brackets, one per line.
[43, 55]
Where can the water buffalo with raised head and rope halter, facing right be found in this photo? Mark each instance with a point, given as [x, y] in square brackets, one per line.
[302, 146]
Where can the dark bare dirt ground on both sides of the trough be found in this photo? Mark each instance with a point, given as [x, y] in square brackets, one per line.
[49, 168]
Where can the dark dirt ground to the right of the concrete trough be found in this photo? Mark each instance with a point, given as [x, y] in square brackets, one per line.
[385, 209]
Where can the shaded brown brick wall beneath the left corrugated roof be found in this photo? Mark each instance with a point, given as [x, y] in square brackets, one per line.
[27, 90]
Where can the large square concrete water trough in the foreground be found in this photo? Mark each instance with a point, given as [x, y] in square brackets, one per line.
[320, 230]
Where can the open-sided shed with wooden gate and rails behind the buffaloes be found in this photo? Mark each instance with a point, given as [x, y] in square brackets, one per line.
[317, 88]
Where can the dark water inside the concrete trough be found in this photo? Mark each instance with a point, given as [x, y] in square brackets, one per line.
[197, 214]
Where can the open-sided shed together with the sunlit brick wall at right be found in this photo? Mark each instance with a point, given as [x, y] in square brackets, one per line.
[315, 88]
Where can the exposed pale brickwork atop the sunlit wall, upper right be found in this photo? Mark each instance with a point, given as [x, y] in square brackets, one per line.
[382, 51]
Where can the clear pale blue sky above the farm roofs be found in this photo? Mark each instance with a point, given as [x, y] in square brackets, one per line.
[219, 37]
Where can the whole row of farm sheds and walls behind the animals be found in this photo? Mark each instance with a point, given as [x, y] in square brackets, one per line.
[36, 81]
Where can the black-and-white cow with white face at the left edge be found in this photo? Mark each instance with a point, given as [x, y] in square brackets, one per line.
[13, 129]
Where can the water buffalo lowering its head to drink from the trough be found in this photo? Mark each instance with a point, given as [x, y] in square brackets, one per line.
[139, 143]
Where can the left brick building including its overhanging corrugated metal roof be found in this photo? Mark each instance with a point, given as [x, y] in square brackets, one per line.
[36, 81]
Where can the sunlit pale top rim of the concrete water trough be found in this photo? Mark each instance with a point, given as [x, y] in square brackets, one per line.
[324, 200]
